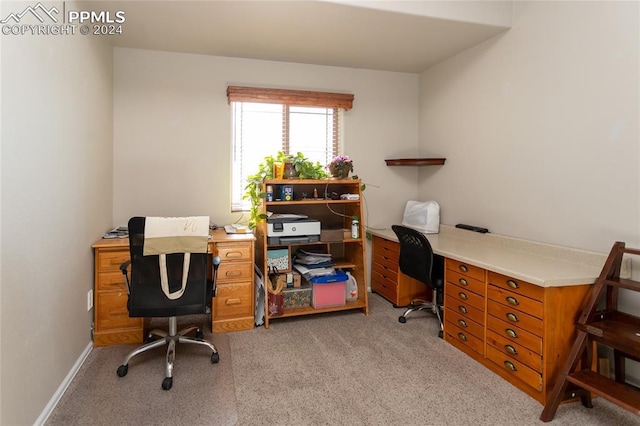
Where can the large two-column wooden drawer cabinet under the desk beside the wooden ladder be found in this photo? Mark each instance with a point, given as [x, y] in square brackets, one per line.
[520, 331]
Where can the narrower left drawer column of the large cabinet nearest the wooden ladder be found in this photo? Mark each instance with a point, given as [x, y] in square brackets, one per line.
[464, 301]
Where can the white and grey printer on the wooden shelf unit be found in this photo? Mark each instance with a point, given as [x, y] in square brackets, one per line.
[290, 228]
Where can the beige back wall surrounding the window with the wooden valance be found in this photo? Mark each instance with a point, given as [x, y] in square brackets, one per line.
[172, 132]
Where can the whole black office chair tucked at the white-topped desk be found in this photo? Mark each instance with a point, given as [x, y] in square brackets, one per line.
[417, 261]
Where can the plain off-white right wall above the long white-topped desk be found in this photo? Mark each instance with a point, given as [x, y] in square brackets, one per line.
[540, 128]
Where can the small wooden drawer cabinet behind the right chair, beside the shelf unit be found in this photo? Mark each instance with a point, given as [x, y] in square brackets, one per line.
[385, 277]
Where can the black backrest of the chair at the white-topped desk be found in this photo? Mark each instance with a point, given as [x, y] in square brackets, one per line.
[416, 256]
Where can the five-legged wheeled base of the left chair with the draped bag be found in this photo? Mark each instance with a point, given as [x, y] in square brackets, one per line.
[170, 338]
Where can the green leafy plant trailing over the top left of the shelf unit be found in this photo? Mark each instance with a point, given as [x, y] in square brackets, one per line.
[305, 168]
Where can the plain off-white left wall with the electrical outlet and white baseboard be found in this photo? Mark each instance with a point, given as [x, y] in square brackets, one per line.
[56, 172]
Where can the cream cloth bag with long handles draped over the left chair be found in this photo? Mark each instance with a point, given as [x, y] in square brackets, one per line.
[167, 235]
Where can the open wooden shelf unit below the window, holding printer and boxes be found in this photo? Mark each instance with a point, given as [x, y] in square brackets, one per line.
[348, 254]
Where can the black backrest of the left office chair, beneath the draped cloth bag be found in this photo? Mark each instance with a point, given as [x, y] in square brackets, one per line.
[146, 297]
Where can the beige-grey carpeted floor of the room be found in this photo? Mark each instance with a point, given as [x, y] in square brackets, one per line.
[329, 369]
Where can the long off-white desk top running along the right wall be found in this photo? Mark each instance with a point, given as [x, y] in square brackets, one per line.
[545, 265]
